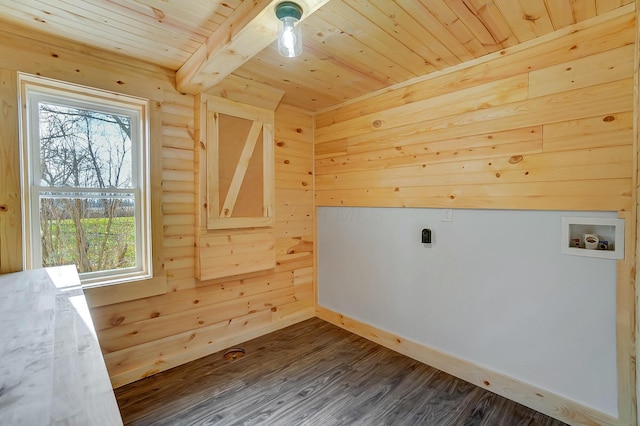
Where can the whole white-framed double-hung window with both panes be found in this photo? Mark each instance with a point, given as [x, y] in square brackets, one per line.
[85, 180]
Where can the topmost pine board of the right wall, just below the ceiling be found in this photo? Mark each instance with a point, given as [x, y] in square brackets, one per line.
[615, 29]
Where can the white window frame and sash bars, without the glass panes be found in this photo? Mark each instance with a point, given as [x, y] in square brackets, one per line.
[33, 89]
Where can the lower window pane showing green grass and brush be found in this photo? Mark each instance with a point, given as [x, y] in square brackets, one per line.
[95, 234]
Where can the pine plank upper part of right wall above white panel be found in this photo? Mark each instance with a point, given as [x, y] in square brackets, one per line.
[549, 127]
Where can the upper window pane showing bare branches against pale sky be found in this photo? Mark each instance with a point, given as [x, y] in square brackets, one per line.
[84, 148]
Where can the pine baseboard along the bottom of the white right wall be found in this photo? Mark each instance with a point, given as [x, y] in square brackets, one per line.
[538, 399]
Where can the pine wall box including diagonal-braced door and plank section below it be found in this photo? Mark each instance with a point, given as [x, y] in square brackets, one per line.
[236, 154]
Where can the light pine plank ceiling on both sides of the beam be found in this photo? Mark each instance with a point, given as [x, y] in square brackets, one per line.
[351, 47]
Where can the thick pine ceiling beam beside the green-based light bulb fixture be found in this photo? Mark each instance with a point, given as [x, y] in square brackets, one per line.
[252, 27]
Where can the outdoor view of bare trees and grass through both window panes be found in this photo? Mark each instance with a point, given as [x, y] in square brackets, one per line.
[82, 151]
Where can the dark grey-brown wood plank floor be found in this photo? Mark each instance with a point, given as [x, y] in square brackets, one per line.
[314, 373]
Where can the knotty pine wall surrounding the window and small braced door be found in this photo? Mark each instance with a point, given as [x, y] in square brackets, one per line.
[185, 319]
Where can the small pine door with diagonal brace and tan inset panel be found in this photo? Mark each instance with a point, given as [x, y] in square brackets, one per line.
[240, 165]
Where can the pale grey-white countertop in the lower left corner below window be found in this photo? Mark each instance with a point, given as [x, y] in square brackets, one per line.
[51, 367]
